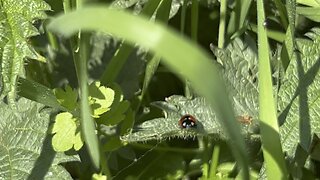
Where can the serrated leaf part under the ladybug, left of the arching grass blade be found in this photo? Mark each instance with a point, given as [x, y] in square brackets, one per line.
[174, 108]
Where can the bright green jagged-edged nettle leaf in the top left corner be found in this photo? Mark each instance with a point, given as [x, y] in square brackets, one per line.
[15, 30]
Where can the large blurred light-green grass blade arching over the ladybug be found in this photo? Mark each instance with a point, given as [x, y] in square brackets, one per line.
[180, 55]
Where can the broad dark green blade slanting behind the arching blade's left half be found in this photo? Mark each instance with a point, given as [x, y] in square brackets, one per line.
[119, 59]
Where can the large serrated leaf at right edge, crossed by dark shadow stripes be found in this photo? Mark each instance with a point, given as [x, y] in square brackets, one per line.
[299, 96]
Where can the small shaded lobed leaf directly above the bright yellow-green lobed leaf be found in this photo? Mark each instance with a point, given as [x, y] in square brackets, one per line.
[67, 98]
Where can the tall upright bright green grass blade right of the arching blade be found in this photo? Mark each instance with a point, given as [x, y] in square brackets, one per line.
[271, 145]
